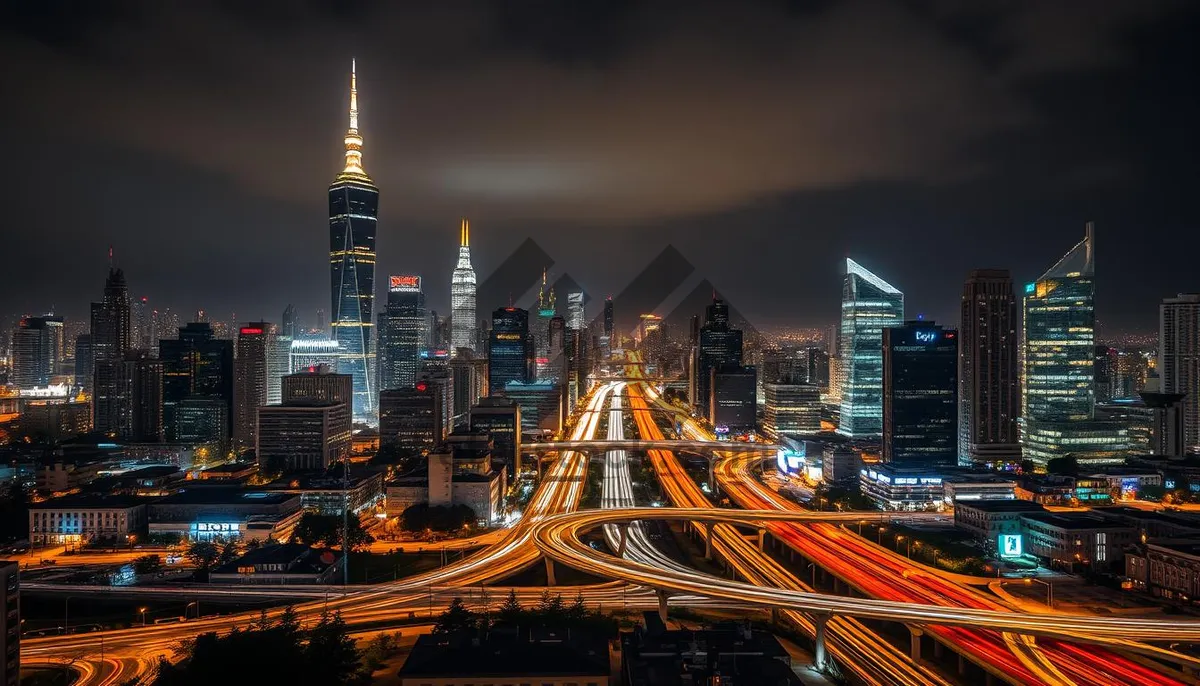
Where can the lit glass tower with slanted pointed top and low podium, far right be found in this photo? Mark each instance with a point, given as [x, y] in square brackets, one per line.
[1059, 400]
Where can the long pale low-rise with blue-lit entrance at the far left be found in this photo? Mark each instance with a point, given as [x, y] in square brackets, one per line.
[85, 519]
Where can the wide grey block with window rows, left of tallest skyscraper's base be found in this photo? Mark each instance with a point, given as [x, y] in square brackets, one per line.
[303, 437]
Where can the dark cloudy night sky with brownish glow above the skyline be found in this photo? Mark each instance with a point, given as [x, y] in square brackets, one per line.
[765, 141]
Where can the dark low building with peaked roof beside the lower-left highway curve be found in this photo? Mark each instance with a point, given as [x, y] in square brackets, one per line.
[281, 564]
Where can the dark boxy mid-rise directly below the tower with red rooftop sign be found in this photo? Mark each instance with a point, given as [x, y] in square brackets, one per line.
[411, 420]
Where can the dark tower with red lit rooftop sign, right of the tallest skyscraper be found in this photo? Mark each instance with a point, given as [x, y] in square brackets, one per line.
[403, 333]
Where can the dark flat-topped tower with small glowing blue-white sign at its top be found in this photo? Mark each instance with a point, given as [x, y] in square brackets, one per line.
[921, 392]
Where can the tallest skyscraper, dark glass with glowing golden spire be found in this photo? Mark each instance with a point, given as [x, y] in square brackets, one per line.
[353, 215]
